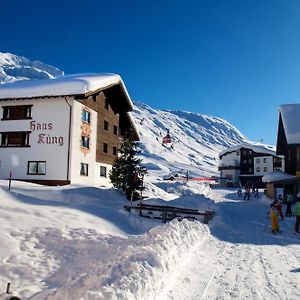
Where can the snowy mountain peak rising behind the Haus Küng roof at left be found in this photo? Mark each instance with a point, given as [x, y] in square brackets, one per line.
[13, 68]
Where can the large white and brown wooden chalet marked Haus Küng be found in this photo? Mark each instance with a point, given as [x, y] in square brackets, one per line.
[63, 130]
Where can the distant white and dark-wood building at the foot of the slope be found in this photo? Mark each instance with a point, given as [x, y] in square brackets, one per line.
[248, 163]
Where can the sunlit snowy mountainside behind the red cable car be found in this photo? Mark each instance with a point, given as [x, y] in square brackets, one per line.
[196, 140]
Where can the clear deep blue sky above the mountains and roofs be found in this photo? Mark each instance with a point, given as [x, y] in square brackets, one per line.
[238, 60]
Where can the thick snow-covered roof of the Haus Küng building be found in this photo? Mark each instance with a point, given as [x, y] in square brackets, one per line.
[75, 84]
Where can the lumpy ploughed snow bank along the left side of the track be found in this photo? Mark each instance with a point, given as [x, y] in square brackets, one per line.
[116, 268]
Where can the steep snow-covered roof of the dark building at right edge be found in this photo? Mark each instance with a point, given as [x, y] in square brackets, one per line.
[290, 114]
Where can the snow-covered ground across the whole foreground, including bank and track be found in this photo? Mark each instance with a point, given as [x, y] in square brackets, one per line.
[78, 242]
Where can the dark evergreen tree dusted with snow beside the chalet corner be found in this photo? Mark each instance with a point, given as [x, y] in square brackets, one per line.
[126, 173]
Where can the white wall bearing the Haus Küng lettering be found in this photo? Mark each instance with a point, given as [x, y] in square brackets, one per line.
[48, 140]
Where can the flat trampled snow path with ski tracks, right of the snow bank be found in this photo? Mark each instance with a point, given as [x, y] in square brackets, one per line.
[252, 265]
